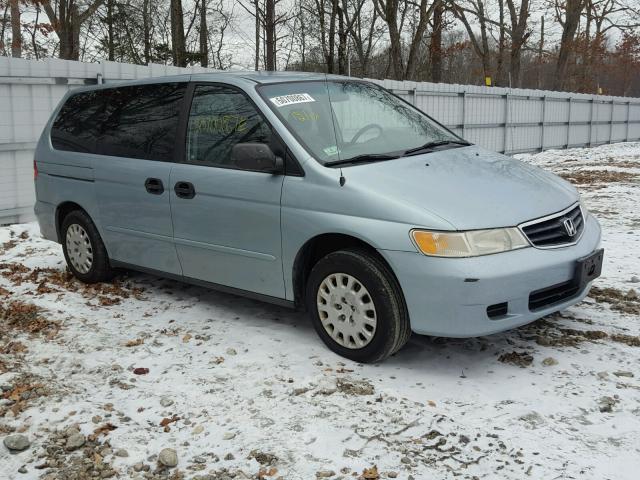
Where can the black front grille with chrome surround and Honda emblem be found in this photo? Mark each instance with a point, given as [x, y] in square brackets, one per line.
[552, 231]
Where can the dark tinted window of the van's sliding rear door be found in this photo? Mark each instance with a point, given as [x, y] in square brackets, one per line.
[141, 121]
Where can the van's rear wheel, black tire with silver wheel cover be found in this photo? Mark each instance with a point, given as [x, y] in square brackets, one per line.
[89, 263]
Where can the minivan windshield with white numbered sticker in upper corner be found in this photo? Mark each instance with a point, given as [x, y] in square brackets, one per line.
[341, 120]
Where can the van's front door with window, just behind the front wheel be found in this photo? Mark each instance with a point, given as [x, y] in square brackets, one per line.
[226, 219]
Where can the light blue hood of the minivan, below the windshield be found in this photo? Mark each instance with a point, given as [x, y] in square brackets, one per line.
[470, 187]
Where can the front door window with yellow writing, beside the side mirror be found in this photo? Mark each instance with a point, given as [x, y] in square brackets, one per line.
[221, 117]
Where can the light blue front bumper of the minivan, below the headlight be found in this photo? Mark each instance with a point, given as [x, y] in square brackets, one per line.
[448, 297]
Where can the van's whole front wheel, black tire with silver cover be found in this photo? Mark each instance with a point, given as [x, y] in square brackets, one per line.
[386, 327]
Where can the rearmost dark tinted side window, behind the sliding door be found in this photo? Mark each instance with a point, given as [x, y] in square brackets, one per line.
[76, 126]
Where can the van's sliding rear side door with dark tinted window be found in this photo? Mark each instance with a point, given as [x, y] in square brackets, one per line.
[132, 173]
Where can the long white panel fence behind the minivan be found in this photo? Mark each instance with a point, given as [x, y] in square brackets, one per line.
[500, 119]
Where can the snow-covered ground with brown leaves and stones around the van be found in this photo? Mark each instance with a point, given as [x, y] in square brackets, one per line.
[241, 389]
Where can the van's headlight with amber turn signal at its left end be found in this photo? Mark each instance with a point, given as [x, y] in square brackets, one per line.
[468, 244]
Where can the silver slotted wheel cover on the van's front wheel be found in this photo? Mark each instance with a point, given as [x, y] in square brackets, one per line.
[346, 310]
